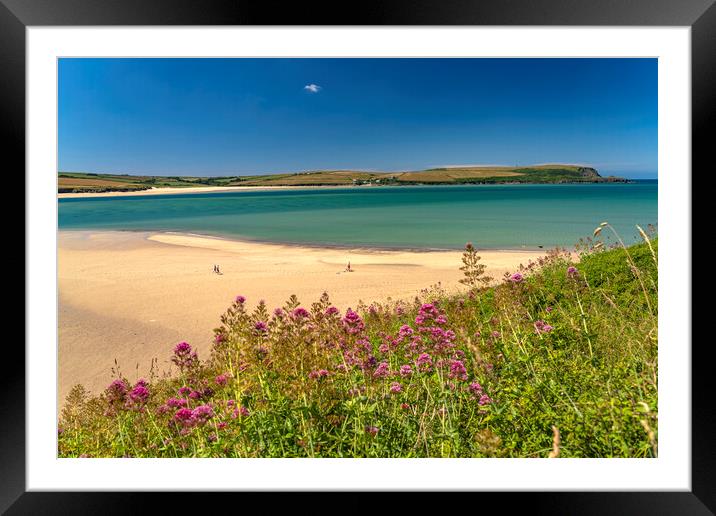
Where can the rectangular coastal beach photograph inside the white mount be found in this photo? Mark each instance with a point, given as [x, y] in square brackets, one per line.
[357, 257]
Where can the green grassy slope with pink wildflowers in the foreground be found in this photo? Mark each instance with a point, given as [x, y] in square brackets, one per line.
[571, 352]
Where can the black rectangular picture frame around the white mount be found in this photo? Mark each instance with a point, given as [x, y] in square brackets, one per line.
[700, 15]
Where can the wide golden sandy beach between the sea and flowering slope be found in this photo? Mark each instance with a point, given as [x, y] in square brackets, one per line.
[131, 296]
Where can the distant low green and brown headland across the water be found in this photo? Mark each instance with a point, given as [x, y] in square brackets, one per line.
[83, 182]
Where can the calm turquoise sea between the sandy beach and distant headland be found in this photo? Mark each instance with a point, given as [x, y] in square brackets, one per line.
[415, 217]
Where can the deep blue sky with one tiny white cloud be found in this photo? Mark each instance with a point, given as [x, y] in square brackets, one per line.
[252, 116]
